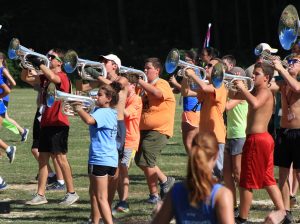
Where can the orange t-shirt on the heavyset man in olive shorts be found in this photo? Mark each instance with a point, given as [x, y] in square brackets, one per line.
[159, 114]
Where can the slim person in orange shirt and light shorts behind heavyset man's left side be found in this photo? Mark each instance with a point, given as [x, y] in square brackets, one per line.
[132, 117]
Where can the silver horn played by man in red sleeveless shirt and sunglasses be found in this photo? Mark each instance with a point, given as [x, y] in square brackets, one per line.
[17, 51]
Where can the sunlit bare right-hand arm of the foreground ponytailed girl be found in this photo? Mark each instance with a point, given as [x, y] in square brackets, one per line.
[224, 206]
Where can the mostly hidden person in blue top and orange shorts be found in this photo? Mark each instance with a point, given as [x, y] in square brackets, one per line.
[190, 117]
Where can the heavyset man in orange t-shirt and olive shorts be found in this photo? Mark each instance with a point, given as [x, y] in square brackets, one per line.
[156, 127]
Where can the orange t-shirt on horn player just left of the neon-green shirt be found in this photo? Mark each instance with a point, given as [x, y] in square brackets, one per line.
[211, 115]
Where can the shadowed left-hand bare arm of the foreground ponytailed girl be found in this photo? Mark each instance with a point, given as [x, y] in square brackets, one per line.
[165, 213]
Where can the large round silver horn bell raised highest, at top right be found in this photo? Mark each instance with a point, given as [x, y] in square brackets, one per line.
[288, 28]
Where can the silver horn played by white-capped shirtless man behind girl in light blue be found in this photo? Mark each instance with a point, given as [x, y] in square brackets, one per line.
[85, 68]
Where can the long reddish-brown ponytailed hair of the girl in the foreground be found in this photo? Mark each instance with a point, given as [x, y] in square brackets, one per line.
[199, 175]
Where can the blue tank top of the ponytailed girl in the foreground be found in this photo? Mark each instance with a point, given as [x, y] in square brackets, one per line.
[185, 213]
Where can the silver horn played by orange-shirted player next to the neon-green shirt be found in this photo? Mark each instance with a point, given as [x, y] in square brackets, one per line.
[173, 61]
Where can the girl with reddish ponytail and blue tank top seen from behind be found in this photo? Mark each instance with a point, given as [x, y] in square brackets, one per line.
[198, 199]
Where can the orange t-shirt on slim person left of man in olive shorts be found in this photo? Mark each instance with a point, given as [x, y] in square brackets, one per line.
[133, 107]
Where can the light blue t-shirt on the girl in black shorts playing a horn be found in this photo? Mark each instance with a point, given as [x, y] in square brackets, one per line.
[103, 147]
